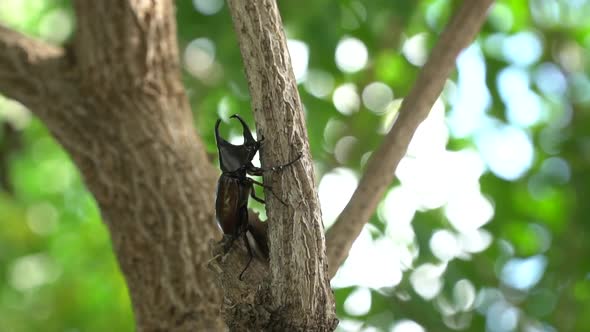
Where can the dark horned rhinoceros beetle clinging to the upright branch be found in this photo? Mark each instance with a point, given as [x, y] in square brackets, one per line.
[234, 187]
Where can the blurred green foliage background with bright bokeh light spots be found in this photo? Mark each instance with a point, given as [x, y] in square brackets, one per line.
[57, 269]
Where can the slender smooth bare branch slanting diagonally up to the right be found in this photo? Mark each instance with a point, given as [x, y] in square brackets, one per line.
[415, 108]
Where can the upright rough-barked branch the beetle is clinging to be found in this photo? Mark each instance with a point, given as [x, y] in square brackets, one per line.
[300, 294]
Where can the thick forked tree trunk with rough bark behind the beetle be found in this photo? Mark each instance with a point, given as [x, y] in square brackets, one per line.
[116, 103]
